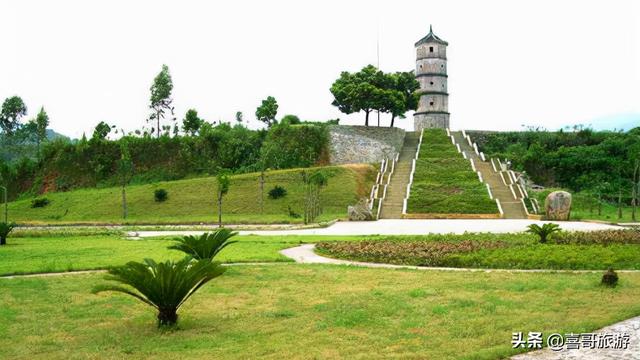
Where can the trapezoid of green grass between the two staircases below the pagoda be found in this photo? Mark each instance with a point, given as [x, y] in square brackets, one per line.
[444, 182]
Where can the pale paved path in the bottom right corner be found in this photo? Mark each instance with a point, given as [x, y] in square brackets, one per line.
[630, 327]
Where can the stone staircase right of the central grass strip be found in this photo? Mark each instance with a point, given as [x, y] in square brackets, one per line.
[511, 207]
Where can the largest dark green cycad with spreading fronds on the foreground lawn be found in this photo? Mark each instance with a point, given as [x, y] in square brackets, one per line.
[164, 286]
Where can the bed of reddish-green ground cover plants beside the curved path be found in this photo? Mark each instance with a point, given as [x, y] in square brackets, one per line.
[581, 250]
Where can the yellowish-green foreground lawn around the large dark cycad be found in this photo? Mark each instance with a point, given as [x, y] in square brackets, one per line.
[306, 311]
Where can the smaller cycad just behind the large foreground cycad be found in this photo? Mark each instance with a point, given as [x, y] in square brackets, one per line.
[205, 246]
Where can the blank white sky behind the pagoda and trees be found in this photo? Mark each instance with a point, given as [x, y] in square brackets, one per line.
[546, 63]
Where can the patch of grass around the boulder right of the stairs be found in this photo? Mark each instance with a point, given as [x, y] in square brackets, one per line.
[584, 207]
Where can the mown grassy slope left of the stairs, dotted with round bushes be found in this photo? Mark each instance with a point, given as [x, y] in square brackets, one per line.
[193, 200]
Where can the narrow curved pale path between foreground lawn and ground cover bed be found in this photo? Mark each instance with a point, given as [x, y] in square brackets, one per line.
[305, 254]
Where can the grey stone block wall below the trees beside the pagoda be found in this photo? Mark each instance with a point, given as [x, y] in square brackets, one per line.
[363, 144]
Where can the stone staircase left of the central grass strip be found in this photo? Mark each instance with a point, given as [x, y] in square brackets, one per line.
[397, 188]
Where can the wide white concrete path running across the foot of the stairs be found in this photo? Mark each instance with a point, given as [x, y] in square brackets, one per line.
[406, 227]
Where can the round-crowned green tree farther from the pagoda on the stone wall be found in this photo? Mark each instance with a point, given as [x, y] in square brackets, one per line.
[361, 91]
